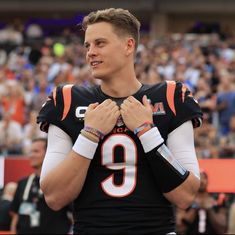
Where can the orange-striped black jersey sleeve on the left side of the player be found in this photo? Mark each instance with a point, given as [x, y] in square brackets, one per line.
[56, 108]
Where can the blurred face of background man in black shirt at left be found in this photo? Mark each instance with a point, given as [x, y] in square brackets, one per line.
[37, 154]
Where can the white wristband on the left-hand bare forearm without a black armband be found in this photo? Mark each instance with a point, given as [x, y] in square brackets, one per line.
[85, 147]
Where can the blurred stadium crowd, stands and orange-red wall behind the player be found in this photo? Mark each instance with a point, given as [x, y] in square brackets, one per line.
[41, 46]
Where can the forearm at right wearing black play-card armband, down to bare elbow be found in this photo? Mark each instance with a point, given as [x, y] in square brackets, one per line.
[177, 183]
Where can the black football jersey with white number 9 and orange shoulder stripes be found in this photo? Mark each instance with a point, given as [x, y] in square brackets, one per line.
[120, 195]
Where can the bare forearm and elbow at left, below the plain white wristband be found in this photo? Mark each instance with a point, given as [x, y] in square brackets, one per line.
[64, 183]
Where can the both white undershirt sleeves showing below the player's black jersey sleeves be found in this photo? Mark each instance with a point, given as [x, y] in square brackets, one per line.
[180, 142]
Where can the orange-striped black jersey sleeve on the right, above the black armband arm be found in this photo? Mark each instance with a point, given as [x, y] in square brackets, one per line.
[182, 104]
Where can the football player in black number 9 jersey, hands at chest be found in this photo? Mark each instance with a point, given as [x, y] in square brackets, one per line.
[122, 151]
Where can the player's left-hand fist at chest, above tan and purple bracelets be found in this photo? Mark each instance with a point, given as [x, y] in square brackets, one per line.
[102, 117]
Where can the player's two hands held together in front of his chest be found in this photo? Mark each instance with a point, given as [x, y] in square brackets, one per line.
[104, 116]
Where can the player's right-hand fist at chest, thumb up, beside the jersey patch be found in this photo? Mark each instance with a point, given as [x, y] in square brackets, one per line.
[134, 113]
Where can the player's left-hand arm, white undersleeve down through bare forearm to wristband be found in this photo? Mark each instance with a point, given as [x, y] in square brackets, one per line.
[64, 170]
